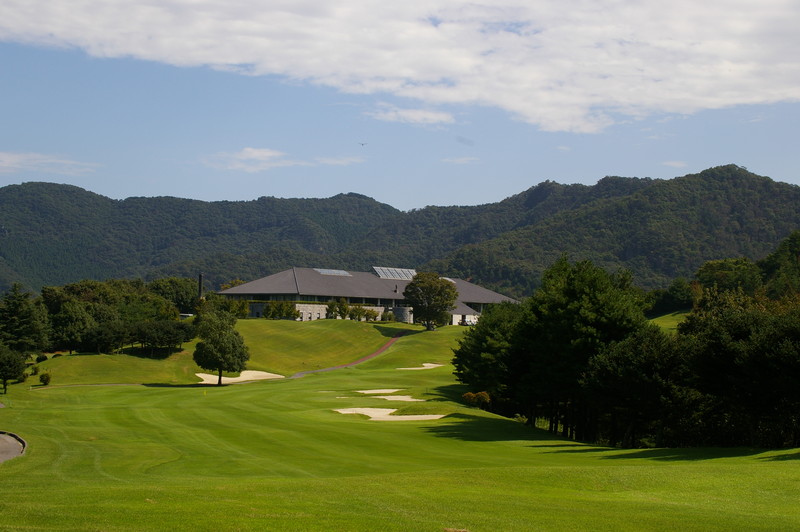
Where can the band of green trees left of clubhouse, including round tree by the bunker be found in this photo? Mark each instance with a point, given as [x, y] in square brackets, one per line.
[141, 318]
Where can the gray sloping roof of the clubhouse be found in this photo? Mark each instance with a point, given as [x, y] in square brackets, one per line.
[340, 283]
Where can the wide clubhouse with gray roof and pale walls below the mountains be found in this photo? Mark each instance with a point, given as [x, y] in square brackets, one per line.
[311, 289]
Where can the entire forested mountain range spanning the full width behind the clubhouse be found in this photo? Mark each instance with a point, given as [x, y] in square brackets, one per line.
[659, 229]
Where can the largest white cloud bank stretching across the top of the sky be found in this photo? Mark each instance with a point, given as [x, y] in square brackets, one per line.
[575, 66]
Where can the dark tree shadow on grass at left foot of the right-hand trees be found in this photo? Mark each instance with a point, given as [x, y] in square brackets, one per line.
[478, 428]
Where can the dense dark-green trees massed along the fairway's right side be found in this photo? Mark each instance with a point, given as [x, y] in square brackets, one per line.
[580, 358]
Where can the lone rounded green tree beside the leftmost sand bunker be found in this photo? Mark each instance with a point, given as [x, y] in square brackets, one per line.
[221, 347]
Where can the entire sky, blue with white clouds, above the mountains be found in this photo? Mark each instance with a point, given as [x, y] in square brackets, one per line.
[412, 103]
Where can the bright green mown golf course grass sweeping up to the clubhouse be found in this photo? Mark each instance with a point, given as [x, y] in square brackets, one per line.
[162, 453]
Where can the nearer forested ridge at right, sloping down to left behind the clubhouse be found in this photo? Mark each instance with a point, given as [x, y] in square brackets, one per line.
[665, 230]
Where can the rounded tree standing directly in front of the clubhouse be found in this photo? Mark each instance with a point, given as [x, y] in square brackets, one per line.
[431, 297]
